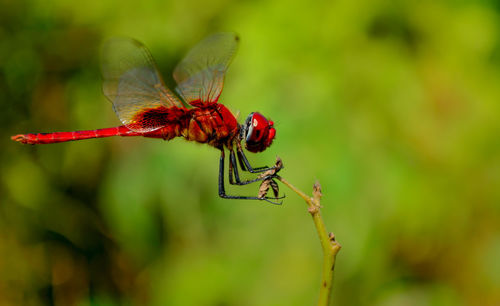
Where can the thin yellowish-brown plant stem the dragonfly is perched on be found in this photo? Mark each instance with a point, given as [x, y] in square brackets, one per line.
[328, 244]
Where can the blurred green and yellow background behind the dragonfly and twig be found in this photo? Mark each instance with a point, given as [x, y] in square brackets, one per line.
[392, 106]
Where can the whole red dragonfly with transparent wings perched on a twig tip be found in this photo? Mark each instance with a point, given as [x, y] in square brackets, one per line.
[146, 107]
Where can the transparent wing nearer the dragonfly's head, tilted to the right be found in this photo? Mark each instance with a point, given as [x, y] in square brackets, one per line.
[200, 75]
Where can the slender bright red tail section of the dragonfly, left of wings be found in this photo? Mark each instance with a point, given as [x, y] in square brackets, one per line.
[46, 138]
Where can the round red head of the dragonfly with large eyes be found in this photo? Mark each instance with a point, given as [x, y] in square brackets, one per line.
[258, 132]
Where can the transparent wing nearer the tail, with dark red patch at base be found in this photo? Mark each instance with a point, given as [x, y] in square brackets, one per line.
[134, 86]
